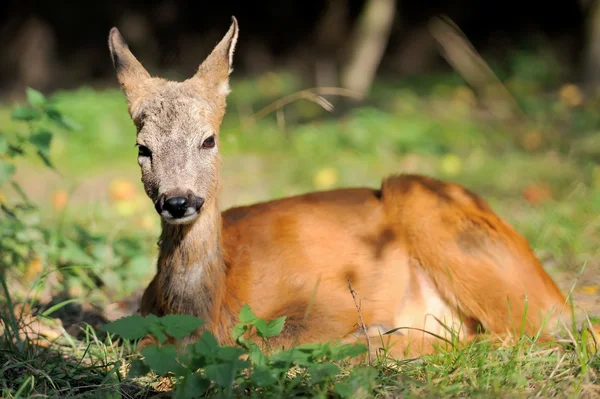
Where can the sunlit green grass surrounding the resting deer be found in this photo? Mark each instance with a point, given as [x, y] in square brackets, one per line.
[98, 243]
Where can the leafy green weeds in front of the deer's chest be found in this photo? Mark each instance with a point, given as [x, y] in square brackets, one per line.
[246, 369]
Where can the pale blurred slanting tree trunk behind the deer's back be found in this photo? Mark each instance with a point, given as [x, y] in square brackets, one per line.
[369, 39]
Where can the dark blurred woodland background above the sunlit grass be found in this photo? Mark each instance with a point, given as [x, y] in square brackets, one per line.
[51, 45]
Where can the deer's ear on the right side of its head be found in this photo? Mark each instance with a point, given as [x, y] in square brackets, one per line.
[216, 68]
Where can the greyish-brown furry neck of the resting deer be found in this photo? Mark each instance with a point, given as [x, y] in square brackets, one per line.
[190, 265]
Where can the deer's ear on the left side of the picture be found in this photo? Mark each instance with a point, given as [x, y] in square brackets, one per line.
[131, 74]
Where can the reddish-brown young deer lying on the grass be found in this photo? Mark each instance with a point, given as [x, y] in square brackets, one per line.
[419, 252]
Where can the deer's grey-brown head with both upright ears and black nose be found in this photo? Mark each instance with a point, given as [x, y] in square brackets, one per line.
[177, 127]
